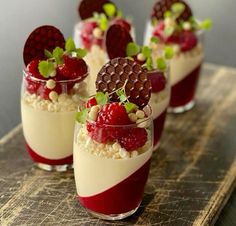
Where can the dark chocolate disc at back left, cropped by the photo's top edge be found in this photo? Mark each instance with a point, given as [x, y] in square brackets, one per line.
[88, 7]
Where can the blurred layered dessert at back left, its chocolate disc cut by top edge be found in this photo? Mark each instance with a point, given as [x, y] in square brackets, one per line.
[90, 33]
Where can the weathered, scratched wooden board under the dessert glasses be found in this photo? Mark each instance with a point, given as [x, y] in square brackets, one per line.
[192, 175]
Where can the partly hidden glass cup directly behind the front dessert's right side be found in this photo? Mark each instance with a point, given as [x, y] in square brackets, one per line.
[159, 101]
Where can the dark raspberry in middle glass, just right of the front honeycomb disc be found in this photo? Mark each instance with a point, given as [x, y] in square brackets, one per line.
[158, 81]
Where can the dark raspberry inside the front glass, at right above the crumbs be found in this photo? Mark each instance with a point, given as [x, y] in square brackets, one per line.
[133, 139]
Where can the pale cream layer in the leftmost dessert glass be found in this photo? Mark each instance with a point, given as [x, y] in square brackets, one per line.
[49, 134]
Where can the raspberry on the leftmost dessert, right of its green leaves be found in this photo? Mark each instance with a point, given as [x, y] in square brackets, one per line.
[73, 68]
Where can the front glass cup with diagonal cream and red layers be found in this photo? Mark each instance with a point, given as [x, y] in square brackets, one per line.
[110, 181]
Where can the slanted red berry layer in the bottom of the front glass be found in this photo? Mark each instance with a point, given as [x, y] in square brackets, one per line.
[121, 198]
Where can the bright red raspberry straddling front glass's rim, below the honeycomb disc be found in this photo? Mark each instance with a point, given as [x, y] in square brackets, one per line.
[110, 114]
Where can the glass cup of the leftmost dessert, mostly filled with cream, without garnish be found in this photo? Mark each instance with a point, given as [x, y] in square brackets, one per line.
[48, 118]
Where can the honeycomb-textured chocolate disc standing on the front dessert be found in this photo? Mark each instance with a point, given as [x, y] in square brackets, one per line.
[119, 71]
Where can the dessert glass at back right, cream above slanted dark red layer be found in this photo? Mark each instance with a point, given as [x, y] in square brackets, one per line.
[185, 69]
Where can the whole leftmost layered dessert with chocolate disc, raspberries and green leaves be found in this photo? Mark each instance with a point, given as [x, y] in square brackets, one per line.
[53, 84]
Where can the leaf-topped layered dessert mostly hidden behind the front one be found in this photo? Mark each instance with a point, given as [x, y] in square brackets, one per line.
[158, 73]
